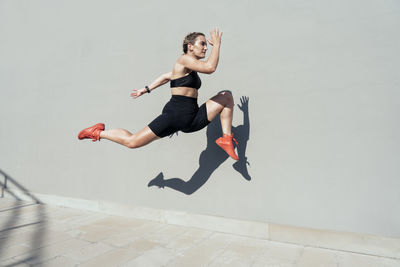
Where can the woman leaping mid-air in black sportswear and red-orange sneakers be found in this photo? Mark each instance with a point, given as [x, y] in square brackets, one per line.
[182, 112]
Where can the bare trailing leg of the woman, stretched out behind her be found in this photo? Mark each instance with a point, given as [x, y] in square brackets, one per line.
[126, 138]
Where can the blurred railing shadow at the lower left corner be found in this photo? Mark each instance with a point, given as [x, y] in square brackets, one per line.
[13, 214]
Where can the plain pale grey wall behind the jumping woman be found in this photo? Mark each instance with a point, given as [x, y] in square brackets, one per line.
[323, 87]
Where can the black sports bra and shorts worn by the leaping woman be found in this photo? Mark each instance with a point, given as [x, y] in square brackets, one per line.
[181, 113]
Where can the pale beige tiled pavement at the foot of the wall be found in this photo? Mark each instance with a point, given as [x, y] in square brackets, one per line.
[44, 235]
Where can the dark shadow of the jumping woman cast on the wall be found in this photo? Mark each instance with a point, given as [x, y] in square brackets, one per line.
[213, 156]
